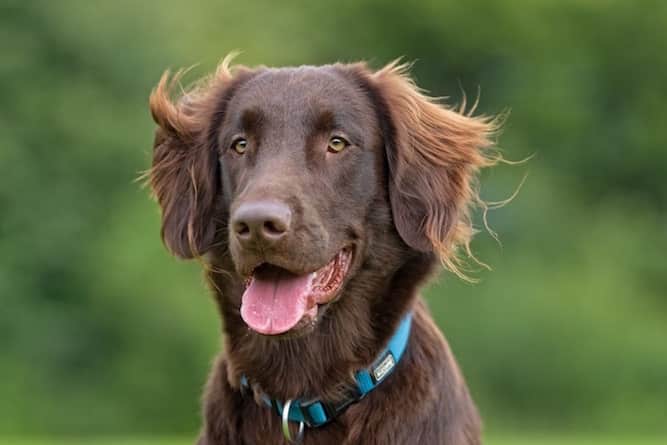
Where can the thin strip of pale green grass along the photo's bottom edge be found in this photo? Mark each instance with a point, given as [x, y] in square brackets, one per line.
[530, 439]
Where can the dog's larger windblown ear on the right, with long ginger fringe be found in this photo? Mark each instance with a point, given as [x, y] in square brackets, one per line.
[434, 154]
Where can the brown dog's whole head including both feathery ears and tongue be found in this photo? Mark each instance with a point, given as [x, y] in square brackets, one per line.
[309, 178]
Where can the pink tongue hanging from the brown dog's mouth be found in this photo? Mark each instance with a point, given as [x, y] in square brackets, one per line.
[275, 300]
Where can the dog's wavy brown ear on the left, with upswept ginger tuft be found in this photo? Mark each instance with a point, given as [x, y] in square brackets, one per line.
[185, 176]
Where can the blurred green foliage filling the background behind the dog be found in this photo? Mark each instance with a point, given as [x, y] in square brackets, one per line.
[101, 331]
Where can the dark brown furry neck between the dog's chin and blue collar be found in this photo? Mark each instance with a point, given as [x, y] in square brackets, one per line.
[322, 363]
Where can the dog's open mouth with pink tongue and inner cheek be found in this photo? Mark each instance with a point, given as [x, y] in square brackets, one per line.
[276, 300]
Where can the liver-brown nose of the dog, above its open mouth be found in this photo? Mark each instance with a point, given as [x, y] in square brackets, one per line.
[261, 222]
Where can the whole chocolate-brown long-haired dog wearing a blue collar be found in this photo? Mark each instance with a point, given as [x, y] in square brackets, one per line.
[319, 200]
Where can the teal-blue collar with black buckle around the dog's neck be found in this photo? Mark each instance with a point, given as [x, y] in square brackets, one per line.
[316, 412]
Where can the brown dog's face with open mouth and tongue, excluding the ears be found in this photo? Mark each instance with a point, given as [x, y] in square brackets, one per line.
[299, 155]
